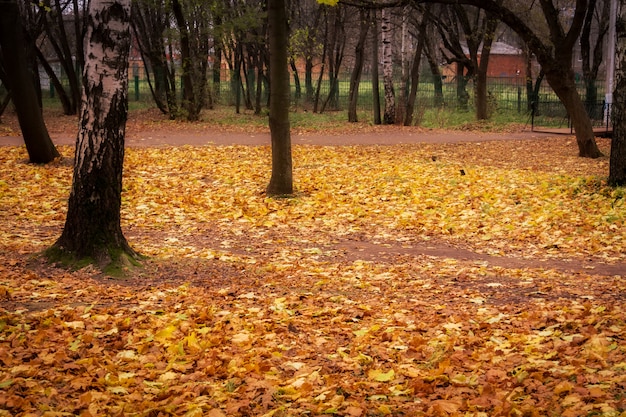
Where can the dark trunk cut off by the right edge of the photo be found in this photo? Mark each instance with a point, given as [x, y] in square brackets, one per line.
[617, 163]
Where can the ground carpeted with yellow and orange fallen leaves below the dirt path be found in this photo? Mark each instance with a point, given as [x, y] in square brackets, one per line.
[442, 280]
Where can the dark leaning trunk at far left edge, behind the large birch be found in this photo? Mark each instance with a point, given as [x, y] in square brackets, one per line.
[40, 148]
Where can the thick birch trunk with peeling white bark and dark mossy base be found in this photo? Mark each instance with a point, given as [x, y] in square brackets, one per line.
[92, 228]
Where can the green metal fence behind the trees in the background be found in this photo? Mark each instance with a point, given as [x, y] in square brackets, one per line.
[505, 94]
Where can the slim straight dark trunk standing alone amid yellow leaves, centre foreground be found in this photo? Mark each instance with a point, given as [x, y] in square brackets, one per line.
[281, 182]
